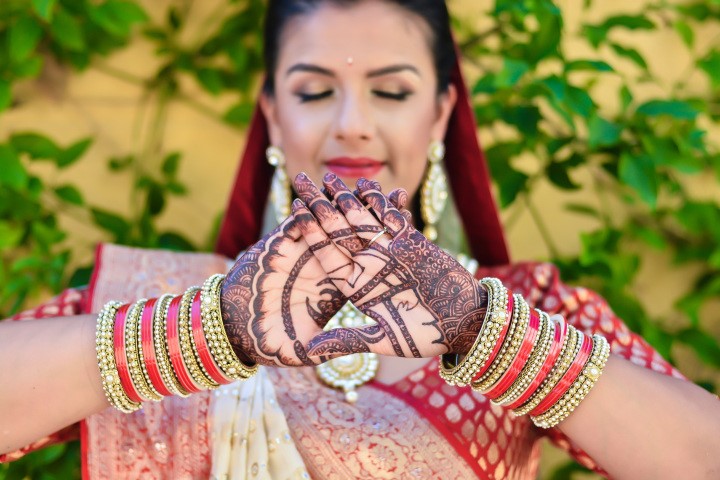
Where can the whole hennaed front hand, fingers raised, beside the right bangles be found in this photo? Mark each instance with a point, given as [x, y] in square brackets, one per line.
[424, 302]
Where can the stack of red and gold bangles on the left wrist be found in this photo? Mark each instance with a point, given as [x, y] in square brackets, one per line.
[165, 346]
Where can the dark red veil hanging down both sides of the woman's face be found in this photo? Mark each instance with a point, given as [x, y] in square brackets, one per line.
[464, 162]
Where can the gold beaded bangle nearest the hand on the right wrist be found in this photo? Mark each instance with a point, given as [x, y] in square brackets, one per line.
[495, 318]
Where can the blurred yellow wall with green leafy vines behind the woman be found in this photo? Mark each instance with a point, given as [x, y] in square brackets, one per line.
[123, 121]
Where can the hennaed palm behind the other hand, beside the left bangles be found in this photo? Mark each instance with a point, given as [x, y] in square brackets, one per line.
[276, 299]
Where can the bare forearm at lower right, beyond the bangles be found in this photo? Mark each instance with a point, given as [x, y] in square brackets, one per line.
[639, 424]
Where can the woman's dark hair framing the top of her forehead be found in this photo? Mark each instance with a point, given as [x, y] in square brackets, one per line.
[433, 12]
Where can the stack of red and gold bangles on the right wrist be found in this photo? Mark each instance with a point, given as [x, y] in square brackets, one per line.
[526, 361]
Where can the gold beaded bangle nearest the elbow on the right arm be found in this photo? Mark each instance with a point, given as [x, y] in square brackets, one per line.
[580, 388]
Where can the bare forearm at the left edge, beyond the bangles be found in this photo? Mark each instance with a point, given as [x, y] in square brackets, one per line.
[49, 377]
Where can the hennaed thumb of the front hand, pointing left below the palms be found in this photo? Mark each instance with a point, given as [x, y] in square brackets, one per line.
[339, 342]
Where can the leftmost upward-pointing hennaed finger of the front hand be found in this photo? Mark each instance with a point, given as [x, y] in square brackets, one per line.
[331, 220]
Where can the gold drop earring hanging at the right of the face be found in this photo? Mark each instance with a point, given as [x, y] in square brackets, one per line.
[433, 194]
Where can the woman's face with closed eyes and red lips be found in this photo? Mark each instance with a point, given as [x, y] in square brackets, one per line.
[356, 94]
